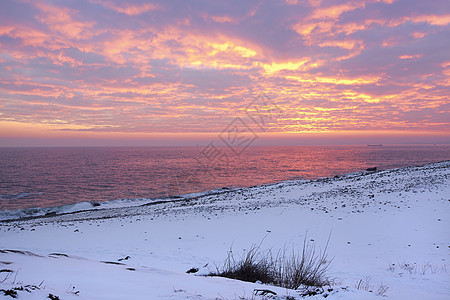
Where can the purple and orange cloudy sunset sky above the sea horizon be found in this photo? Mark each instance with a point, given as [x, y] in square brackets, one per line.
[110, 72]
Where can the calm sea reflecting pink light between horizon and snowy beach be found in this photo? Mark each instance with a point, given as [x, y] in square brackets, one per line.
[48, 177]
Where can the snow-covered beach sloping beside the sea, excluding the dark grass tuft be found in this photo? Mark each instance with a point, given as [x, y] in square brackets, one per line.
[389, 235]
